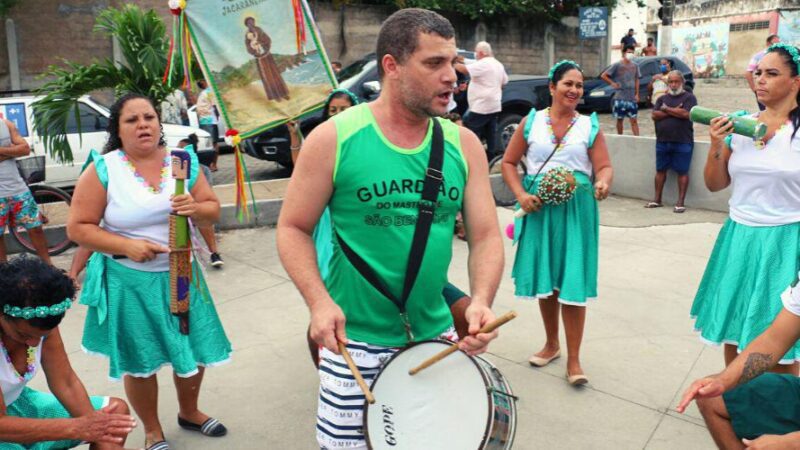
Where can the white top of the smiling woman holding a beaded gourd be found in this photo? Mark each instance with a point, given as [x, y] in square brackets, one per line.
[573, 153]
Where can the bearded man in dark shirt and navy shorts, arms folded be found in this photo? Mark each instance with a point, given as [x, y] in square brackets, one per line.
[674, 138]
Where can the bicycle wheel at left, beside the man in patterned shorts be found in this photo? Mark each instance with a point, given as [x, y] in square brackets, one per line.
[53, 206]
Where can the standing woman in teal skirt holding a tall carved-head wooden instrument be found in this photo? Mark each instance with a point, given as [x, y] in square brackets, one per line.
[120, 211]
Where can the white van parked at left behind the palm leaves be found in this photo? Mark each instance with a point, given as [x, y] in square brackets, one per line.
[94, 121]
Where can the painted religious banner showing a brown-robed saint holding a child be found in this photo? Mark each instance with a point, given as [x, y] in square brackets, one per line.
[263, 59]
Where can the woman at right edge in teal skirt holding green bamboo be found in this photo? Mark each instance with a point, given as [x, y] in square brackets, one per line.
[757, 254]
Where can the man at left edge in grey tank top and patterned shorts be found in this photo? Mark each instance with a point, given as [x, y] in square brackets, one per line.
[17, 206]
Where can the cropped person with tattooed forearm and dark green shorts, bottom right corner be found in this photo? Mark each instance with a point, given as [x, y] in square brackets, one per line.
[744, 408]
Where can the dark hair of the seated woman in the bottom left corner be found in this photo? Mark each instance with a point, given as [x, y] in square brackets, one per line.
[28, 282]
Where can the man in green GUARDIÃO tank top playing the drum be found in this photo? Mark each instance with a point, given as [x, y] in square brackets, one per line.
[369, 164]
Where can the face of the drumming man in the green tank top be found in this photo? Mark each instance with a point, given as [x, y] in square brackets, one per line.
[425, 80]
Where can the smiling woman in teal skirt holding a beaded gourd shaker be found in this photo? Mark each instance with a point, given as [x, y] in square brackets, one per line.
[556, 260]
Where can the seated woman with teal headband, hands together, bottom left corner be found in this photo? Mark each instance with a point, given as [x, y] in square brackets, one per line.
[35, 298]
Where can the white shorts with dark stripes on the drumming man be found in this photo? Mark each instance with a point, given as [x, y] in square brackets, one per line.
[340, 414]
